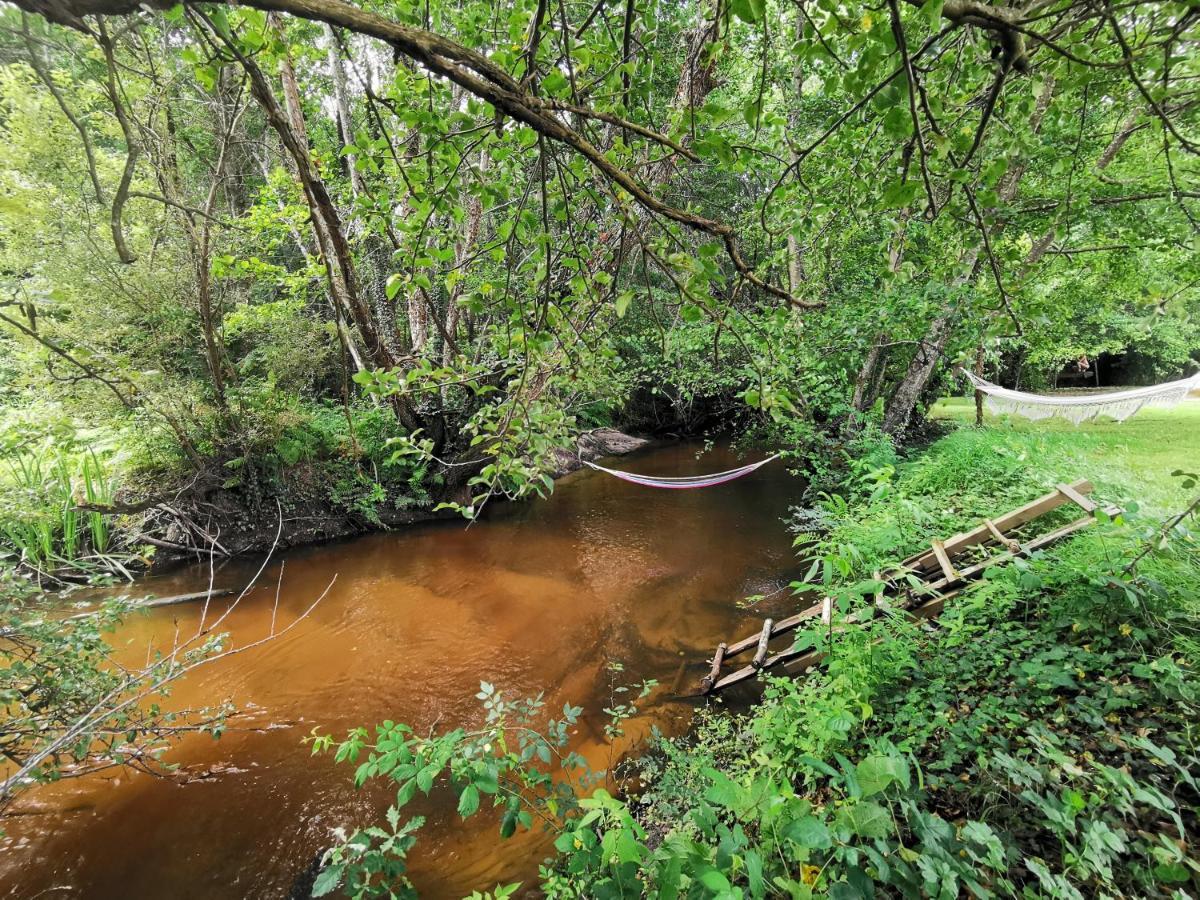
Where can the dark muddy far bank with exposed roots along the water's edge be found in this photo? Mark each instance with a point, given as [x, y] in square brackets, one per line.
[230, 524]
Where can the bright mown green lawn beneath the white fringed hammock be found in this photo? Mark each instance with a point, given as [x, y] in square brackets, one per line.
[1129, 463]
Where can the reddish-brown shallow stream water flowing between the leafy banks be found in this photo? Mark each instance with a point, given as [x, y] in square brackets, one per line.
[539, 597]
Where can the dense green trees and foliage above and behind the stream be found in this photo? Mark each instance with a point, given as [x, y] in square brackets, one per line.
[376, 262]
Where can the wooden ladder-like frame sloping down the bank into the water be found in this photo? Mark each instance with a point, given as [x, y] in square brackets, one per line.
[920, 586]
